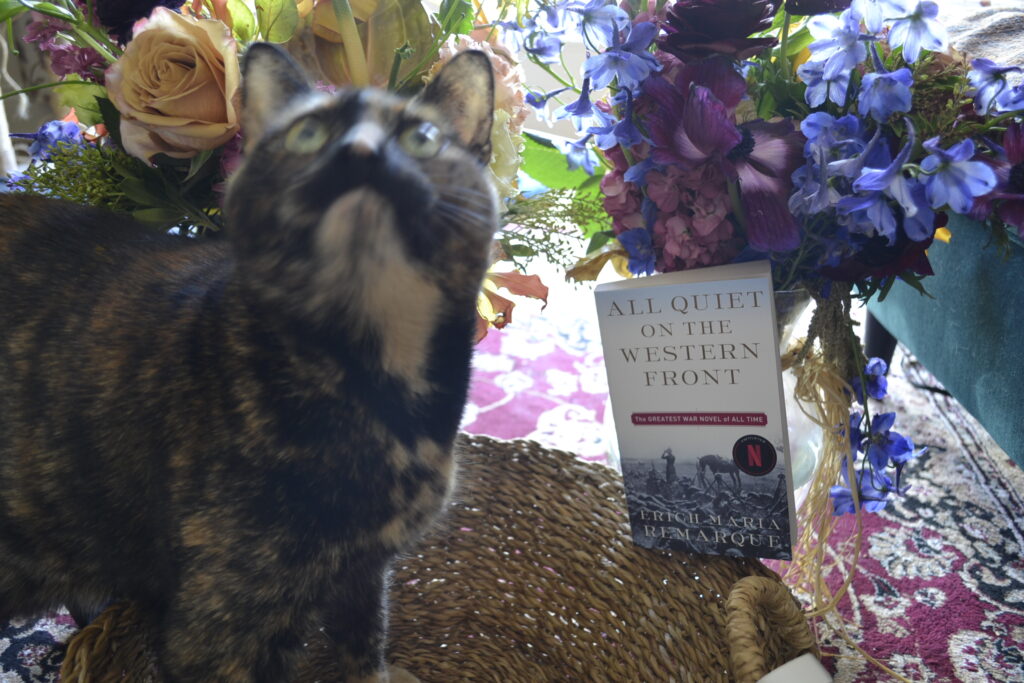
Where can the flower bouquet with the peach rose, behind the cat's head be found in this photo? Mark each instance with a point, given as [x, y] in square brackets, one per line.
[154, 96]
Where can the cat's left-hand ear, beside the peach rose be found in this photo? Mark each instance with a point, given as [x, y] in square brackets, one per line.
[271, 79]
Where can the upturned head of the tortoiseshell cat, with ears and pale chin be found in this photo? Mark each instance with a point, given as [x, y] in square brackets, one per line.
[363, 189]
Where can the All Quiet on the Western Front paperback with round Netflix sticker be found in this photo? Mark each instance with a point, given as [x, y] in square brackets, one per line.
[696, 387]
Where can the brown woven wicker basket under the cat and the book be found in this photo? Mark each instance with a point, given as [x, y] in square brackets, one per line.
[534, 578]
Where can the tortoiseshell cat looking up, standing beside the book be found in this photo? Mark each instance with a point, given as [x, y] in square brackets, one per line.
[241, 435]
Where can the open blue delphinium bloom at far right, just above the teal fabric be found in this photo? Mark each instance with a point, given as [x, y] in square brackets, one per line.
[952, 179]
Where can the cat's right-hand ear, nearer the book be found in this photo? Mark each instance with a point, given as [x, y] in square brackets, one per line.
[464, 94]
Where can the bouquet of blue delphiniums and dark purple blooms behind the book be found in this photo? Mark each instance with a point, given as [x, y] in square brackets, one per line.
[833, 138]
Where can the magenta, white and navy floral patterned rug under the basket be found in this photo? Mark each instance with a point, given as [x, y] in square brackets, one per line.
[941, 591]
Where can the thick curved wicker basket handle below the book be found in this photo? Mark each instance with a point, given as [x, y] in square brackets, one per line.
[756, 607]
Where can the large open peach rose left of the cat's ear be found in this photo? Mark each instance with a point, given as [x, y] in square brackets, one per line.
[177, 87]
